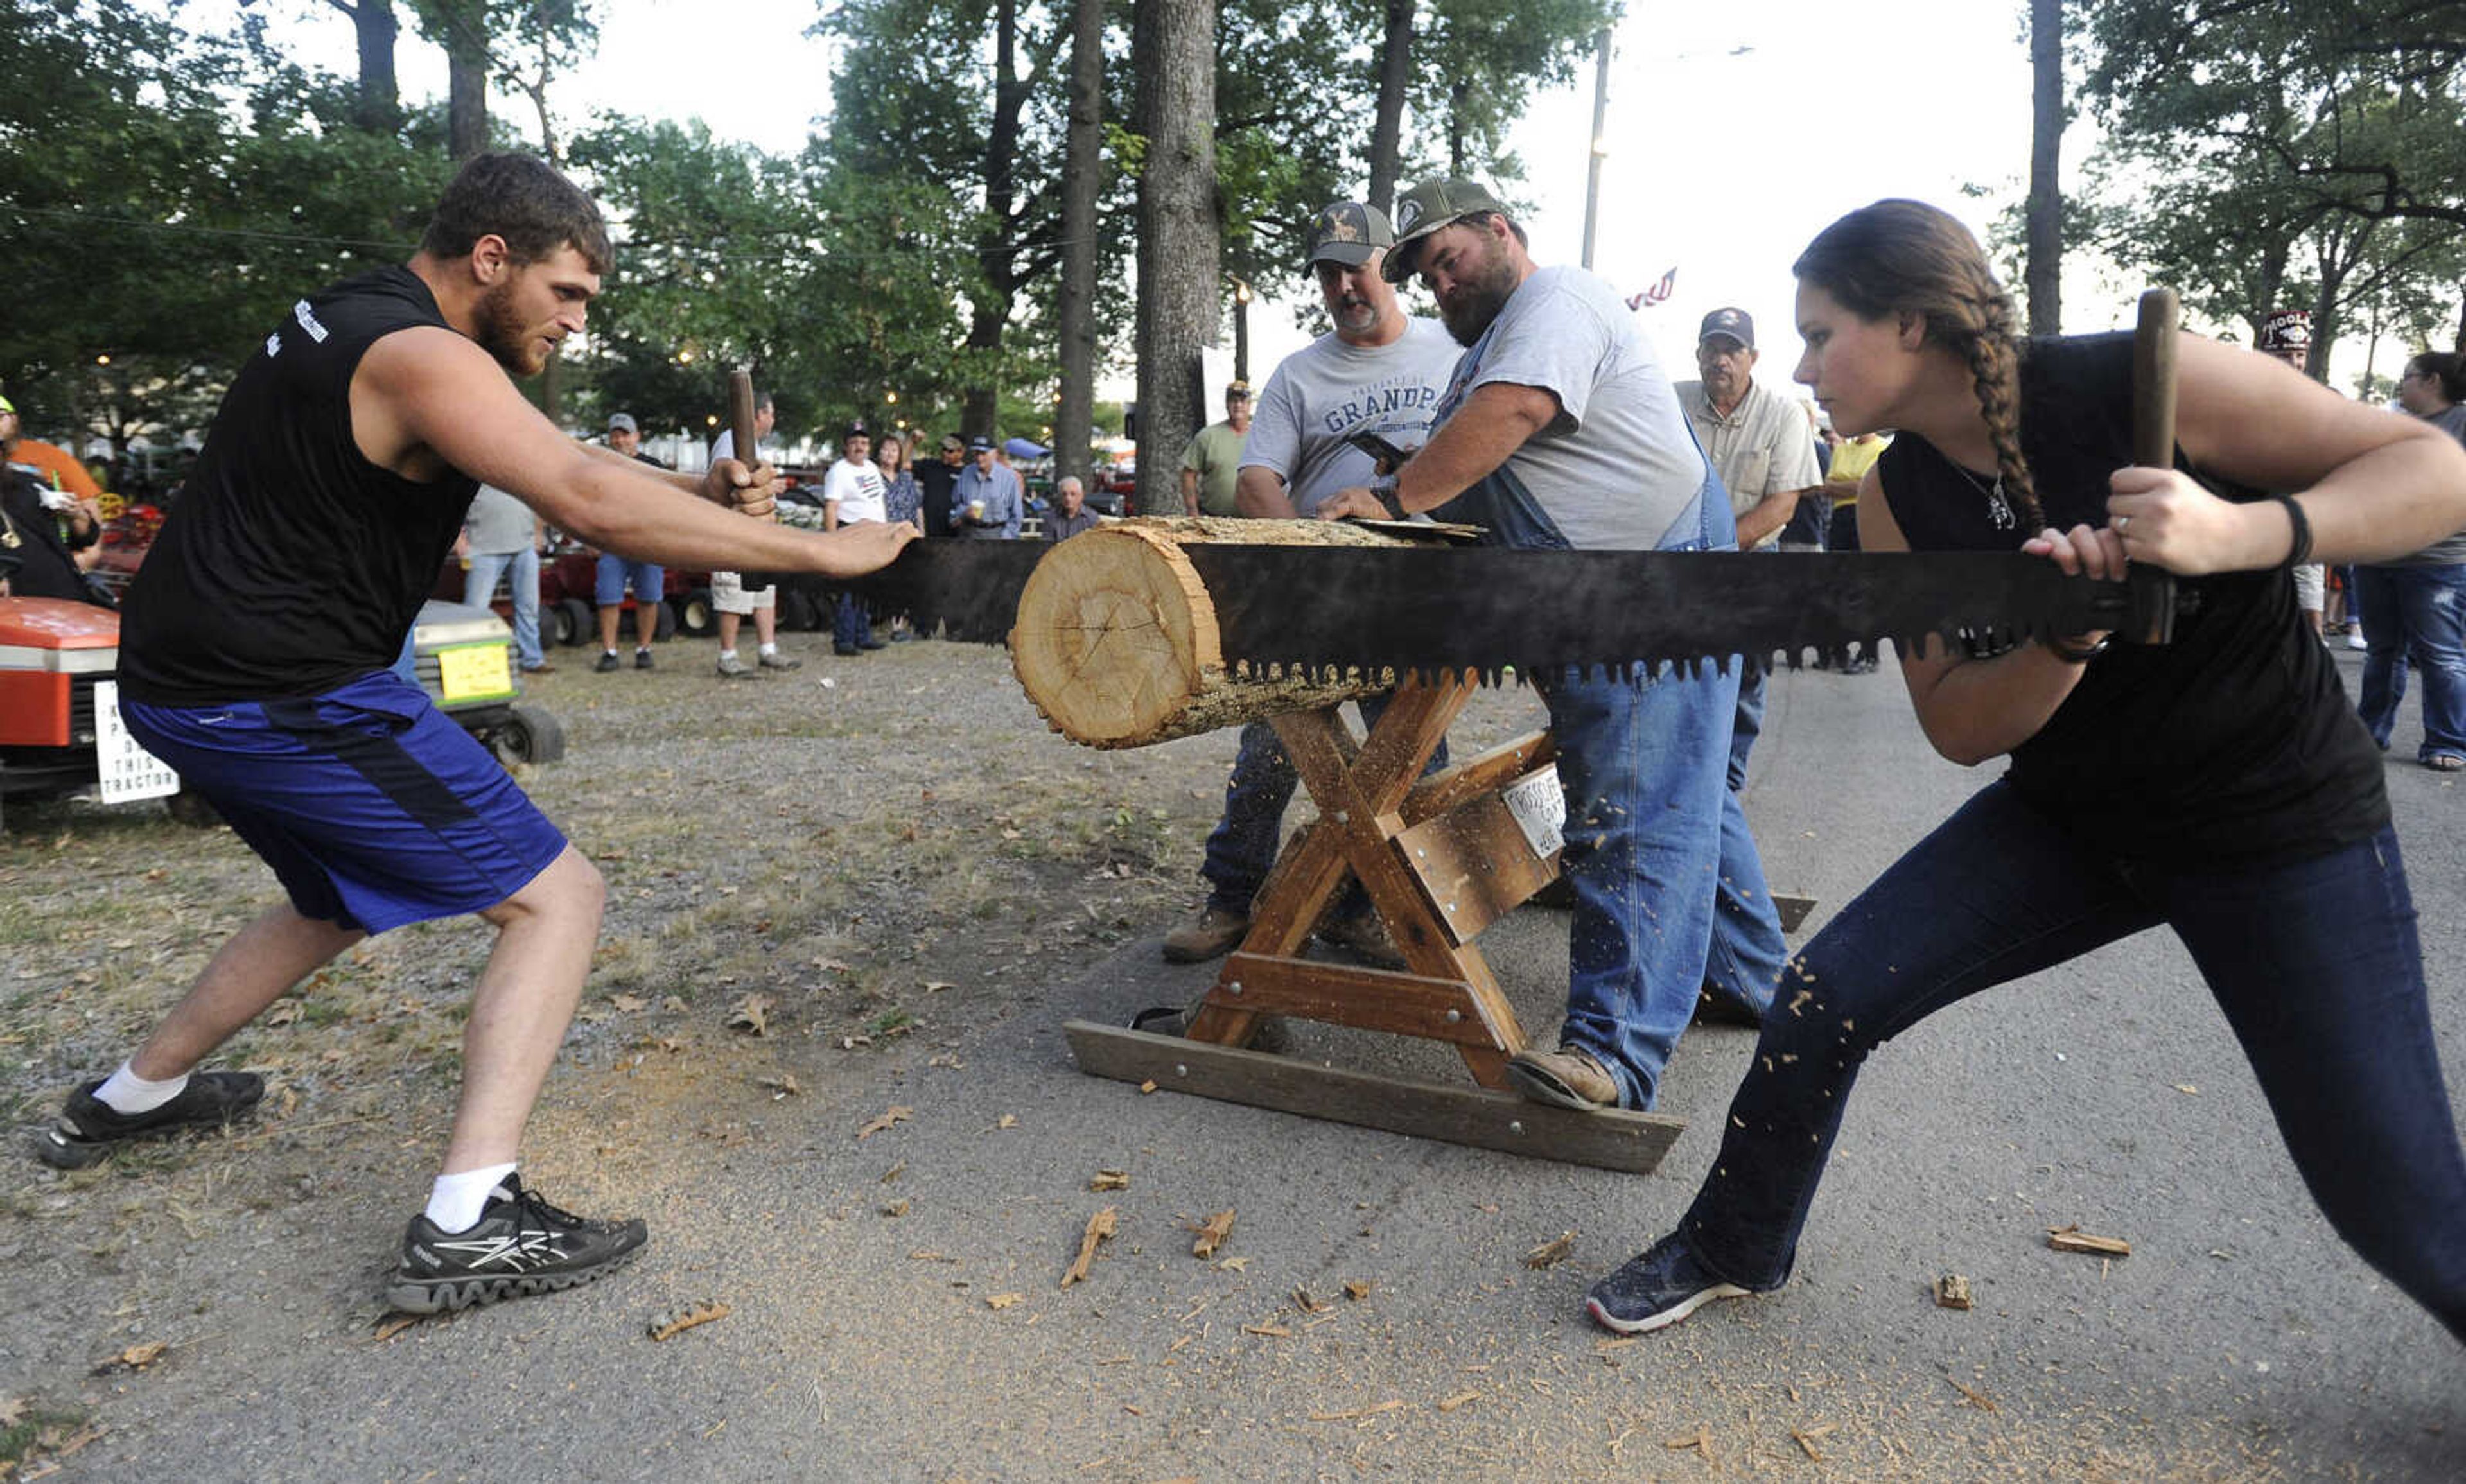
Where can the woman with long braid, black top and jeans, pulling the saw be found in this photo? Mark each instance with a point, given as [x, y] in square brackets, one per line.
[2216, 785]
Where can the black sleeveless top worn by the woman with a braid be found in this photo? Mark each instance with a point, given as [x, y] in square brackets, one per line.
[2230, 746]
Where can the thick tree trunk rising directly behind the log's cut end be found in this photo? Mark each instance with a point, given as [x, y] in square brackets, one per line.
[1178, 235]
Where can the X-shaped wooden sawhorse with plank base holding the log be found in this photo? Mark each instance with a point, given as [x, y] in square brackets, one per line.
[1441, 859]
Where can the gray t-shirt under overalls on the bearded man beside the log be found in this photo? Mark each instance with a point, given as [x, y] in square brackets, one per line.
[1616, 470]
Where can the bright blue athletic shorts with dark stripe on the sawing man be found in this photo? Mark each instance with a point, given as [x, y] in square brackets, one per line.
[369, 802]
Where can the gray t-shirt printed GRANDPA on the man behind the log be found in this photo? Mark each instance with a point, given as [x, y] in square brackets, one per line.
[1330, 391]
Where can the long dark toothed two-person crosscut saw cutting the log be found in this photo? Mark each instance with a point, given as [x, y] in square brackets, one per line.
[1441, 610]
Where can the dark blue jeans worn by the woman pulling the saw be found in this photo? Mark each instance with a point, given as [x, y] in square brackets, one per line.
[2317, 968]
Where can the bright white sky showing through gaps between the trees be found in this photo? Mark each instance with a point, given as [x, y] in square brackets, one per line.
[1735, 134]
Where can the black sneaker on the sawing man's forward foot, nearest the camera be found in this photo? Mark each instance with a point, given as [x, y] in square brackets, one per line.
[522, 1246]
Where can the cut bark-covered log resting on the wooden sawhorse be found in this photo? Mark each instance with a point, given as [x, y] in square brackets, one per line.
[1118, 640]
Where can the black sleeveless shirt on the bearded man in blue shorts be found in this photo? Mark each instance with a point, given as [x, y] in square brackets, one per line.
[292, 563]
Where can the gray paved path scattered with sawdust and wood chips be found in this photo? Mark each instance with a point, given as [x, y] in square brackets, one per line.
[2238, 1342]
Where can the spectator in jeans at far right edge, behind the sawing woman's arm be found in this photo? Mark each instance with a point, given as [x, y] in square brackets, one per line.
[2415, 608]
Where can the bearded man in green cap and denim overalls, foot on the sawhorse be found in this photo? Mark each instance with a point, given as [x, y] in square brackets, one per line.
[1562, 430]
